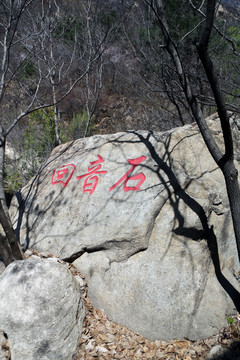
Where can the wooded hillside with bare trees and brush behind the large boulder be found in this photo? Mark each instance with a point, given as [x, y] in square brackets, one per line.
[102, 67]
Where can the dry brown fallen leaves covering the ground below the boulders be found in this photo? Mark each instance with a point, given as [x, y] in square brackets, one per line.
[103, 339]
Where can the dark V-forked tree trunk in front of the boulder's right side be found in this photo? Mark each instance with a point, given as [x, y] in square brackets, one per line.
[225, 160]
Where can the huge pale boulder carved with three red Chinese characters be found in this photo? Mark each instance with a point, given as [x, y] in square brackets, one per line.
[146, 218]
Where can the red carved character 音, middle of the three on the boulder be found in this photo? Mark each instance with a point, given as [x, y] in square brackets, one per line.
[91, 180]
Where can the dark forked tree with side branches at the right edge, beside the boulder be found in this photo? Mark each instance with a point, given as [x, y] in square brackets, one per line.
[205, 33]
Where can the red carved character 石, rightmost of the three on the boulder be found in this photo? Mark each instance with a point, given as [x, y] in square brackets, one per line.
[140, 177]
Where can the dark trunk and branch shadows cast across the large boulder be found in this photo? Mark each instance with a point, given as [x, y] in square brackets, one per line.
[175, 194]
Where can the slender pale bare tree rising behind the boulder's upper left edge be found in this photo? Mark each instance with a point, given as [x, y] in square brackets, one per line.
[56, 57]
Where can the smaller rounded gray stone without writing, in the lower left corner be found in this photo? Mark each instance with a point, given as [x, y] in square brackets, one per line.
[41, 310]
